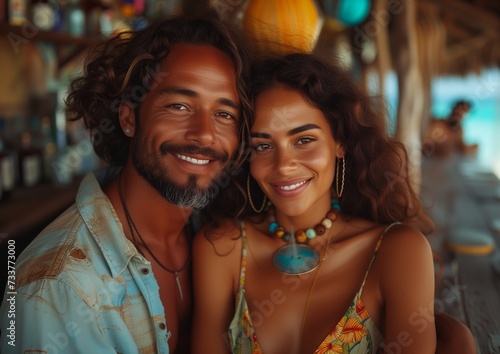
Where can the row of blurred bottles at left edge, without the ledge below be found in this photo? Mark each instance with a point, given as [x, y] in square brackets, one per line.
[36, 148]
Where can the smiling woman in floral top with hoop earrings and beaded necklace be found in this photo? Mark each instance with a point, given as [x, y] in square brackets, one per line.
[336, 263]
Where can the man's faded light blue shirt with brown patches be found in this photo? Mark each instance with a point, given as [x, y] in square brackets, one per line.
[82, 287]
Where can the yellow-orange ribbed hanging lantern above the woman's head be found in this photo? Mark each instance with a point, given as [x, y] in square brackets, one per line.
[280, 26]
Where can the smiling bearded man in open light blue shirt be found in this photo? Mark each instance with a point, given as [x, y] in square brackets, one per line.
[167, 106]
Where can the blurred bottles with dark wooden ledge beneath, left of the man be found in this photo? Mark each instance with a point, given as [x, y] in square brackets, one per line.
[39, 175]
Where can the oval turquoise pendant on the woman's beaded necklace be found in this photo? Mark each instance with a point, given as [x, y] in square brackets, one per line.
[296, 259]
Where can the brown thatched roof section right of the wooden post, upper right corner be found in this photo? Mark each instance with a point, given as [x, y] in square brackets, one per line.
[463, 35]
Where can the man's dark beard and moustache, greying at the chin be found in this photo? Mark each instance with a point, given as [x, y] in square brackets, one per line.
[190, 195]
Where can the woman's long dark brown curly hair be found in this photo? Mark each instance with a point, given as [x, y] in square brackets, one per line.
[377, 181]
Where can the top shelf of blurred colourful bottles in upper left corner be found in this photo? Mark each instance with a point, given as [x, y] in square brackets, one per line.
[79, 21]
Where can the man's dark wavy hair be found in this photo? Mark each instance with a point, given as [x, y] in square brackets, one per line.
[124, 69]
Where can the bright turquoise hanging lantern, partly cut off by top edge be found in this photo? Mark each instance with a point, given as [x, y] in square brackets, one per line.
[347, 12]
